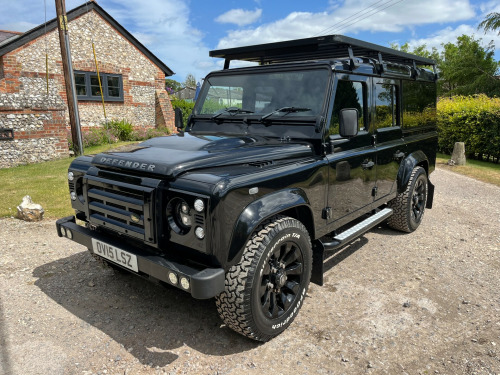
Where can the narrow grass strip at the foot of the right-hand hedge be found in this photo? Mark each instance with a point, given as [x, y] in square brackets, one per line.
[480, 170]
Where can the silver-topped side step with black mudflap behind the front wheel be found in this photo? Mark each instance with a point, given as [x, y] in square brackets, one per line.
[320, 248]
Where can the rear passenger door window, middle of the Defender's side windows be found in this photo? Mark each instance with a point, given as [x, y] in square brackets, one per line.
[386, 105]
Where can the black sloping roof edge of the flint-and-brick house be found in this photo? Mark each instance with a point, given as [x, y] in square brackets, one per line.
[18, 41]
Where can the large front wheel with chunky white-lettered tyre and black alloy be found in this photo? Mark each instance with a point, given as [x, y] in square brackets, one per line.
[278, 250]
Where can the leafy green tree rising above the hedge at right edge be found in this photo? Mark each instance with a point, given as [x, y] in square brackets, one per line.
[467, 68]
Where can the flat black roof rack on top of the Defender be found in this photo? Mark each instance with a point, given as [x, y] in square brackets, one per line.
[317, 48]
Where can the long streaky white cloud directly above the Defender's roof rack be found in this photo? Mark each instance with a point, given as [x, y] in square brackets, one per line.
[402, 15]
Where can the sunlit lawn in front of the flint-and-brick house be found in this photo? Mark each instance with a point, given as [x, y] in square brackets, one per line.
[46, 183]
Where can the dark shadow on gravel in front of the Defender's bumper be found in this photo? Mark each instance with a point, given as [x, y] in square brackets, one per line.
[149, 320]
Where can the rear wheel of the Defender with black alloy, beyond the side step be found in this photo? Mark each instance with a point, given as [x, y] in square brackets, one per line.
[409, 206]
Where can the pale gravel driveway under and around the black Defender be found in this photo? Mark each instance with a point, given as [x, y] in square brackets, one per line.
[420, 303]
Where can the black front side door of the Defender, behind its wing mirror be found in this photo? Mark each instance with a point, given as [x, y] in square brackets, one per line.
[352, 162]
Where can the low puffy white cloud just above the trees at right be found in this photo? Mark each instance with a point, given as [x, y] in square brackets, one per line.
[449, 34]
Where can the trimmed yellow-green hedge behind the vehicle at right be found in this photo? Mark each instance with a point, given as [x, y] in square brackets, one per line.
[474, 120]
